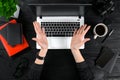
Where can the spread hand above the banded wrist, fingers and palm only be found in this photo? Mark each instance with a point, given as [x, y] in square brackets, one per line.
[41, 36]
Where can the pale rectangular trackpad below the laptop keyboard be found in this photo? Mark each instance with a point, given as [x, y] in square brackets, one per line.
[58, 43]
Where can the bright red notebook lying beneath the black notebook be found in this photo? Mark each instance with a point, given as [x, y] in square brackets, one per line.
[12, 50]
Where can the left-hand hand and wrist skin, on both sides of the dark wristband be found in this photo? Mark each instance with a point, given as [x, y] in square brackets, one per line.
[41, 39]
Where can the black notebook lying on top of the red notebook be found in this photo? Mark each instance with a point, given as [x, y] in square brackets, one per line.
[14, 34]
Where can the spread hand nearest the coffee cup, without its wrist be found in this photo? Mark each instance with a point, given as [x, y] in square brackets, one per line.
[78, 37]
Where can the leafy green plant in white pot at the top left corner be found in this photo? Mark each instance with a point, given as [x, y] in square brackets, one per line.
[9, 8]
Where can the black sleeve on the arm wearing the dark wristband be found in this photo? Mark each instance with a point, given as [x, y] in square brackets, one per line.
[34, 73]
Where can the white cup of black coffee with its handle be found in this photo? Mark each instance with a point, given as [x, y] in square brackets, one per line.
[100, 30]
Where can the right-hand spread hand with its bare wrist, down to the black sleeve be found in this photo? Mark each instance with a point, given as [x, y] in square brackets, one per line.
[77, 41]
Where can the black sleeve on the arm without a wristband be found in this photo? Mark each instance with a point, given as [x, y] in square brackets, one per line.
[85, 73]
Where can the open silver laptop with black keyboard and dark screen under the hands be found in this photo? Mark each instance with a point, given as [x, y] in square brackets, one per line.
[60, 19]
